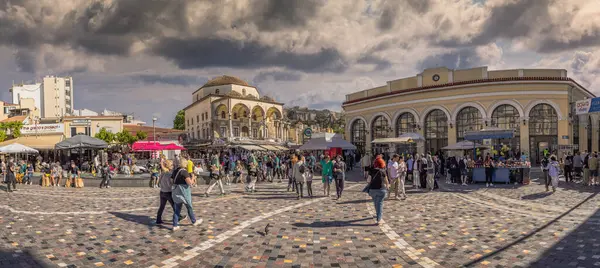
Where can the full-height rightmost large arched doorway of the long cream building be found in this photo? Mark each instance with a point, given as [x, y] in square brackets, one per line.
[543, 131]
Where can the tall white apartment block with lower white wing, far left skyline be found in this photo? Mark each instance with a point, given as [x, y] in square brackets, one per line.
[53, 97]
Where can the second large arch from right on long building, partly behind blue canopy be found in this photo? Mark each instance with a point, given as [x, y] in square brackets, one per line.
[507, 116]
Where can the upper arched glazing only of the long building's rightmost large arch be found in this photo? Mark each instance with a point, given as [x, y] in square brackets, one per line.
[543, 121]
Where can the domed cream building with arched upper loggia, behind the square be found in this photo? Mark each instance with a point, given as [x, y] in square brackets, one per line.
[227, 107]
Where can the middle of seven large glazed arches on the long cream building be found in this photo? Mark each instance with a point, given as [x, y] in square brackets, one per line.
[436, 131]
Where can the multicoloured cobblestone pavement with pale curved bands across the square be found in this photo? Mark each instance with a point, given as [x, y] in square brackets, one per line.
[500, 226]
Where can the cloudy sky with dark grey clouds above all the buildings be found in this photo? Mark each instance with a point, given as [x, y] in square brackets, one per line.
[147, 56]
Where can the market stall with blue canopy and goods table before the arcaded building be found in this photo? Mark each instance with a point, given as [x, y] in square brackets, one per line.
[505, 170]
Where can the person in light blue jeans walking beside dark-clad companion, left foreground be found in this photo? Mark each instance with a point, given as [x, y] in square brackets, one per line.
[182, 194]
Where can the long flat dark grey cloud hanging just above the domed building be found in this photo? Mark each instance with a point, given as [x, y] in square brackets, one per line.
[199, 53]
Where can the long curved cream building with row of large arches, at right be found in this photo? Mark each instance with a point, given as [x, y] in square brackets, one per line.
[442, 104]
